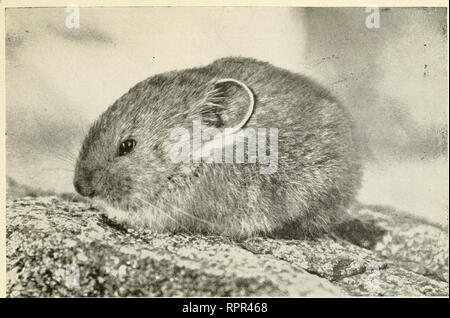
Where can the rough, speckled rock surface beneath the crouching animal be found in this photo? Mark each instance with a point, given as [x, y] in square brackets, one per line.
[61, 248]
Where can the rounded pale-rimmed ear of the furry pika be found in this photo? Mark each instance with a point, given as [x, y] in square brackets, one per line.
[228, 103]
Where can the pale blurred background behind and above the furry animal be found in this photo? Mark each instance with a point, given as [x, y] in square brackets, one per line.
[393, 79]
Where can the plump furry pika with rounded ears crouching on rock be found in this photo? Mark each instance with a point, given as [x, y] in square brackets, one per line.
[124, 160]
